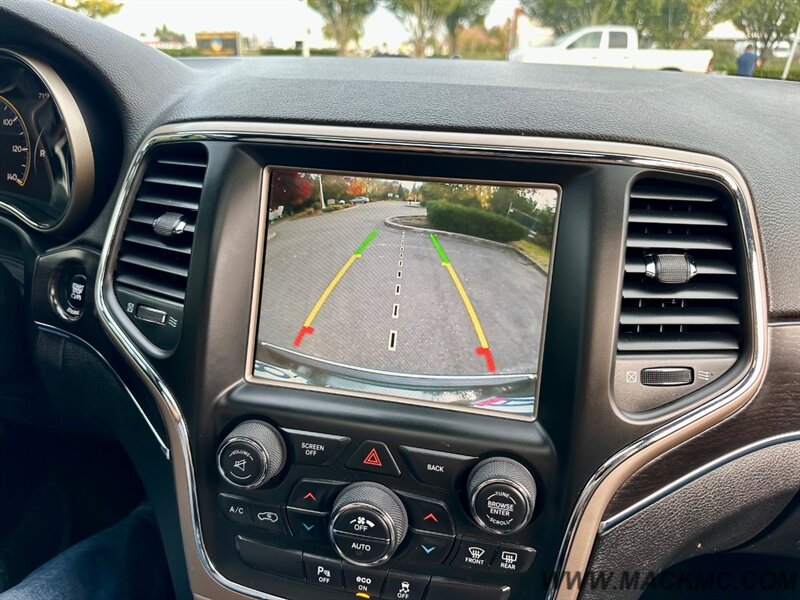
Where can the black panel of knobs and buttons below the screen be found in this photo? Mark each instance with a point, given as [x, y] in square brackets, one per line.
[379, 516]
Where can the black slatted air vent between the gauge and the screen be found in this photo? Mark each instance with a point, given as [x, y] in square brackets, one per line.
[157, 242]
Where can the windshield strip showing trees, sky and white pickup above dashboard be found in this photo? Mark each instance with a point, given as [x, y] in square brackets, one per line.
[746, 38]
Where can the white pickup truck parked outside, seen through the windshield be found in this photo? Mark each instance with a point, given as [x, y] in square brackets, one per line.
[612, 46]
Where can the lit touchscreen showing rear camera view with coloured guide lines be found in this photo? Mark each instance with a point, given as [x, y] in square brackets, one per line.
[419, 291]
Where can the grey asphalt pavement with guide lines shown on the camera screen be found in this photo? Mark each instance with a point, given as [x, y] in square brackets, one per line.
[391, 305]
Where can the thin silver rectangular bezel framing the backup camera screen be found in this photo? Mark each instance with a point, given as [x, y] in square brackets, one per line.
[260, 266]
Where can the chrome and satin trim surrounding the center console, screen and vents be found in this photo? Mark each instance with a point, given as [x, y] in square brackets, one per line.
[586, 517]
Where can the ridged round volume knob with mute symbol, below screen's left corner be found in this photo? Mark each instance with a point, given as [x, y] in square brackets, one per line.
[251, 454]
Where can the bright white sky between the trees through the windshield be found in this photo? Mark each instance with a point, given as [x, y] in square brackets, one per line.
[282, 21]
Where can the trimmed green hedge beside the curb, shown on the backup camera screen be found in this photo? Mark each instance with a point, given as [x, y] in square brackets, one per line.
[473, 221]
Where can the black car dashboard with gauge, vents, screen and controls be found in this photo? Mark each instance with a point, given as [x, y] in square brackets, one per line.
[346, 400]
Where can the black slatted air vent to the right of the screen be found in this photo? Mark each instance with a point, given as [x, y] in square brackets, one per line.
[681, 289]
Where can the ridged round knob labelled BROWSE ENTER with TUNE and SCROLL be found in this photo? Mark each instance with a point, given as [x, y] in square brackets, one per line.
[502, 494]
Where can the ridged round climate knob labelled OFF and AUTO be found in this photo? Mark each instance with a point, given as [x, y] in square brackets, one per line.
[368, 523]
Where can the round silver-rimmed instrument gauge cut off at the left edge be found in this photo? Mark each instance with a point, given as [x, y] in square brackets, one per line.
[46, 162]
